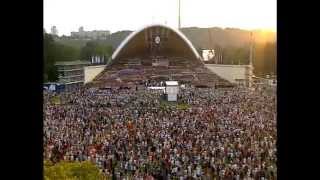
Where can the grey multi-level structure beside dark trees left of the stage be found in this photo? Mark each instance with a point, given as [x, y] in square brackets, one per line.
[71, 73]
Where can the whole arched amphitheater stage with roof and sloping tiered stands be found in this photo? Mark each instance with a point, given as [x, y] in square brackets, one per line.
[156, 53]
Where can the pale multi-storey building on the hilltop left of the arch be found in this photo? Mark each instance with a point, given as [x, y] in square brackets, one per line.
[95, 34]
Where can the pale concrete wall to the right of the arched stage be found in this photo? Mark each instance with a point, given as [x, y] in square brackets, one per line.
[231, 72]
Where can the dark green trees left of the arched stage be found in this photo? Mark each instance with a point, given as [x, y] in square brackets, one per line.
[55, 51]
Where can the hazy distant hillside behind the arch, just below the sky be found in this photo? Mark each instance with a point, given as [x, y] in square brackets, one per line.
[200, 37]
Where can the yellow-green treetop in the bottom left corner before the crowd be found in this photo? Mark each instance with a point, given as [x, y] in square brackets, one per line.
[72, 171]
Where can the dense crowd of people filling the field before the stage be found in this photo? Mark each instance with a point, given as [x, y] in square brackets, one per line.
[223, 134]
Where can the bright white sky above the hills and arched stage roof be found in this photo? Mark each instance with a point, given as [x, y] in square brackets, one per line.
[117, 15]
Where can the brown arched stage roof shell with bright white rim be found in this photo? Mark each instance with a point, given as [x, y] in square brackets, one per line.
[139, 42]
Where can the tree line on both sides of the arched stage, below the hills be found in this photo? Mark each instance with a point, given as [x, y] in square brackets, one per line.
[264, 55]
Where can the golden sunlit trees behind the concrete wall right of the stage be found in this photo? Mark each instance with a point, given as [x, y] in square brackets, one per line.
[264, 57]
